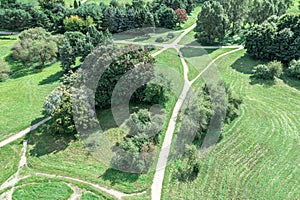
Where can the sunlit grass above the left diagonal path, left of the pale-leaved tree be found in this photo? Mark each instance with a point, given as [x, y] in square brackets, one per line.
[21, 99]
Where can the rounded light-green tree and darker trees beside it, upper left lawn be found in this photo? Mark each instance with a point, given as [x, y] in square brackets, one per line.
[36, 47]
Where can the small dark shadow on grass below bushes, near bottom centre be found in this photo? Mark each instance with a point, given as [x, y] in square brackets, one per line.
[118, 177]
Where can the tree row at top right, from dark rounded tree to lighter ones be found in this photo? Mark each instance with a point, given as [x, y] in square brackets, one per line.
[221, 17]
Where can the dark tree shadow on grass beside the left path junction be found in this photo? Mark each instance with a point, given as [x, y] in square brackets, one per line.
[44, 143]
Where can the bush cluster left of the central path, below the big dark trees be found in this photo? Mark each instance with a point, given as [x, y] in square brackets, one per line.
[137, 149]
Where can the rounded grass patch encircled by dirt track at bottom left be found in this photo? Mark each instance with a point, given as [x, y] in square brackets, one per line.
[51, 190]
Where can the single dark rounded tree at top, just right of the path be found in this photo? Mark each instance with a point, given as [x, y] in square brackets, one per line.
[212, 22]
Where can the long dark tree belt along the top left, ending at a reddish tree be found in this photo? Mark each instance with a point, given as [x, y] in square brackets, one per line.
[54, 16]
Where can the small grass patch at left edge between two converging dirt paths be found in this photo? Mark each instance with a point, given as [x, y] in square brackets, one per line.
[10, 156]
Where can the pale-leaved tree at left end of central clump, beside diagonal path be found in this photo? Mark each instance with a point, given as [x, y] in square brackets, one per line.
[67, 105]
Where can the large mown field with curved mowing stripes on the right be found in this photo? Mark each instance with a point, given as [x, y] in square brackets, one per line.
[258, 157]
